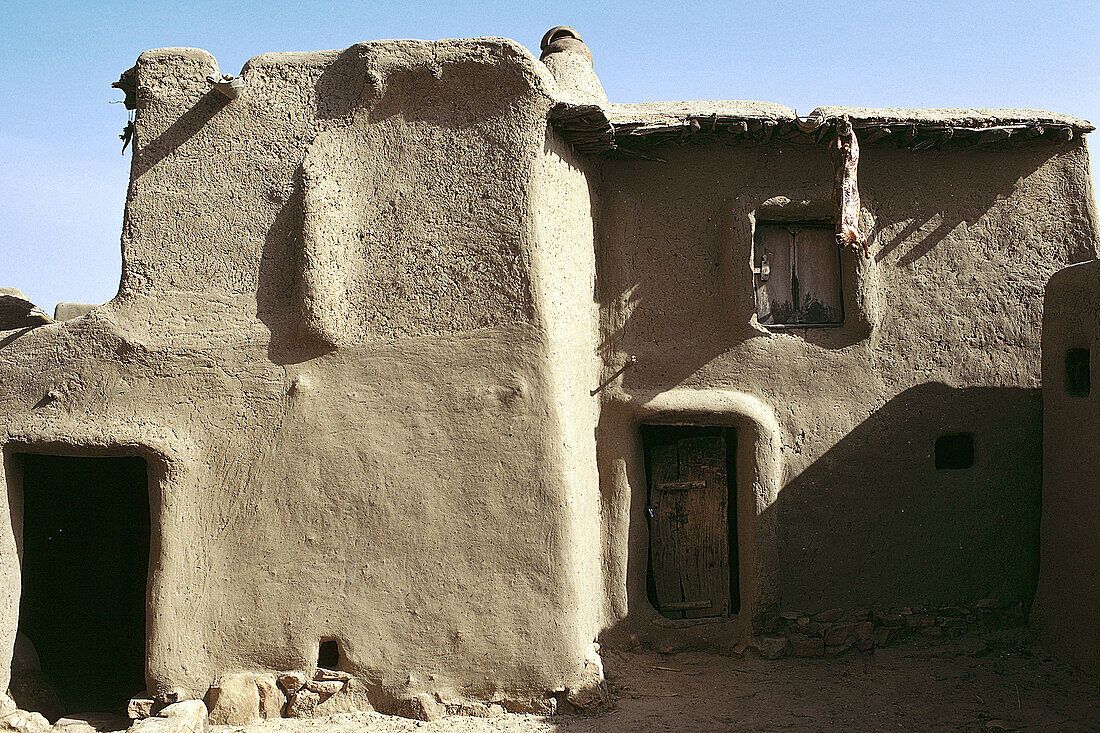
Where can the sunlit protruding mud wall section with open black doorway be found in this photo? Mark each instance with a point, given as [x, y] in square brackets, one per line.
[347, 333]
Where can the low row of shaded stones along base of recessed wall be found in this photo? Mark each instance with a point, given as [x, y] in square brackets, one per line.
[834, 632]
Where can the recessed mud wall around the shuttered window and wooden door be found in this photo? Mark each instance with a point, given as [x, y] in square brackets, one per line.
[942, 335]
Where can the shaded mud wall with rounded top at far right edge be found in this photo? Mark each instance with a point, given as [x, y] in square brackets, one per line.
[1068, 603]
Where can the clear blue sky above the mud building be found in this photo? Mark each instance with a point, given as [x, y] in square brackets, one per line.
[63, 181]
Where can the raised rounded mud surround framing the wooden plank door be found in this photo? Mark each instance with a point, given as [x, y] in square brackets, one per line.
[758, 477]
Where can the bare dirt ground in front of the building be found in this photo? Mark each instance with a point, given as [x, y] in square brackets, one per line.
[999, 684]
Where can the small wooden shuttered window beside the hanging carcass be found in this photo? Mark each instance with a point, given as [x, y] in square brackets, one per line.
[798, 275]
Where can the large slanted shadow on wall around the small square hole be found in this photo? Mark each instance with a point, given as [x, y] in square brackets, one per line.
[874, 522]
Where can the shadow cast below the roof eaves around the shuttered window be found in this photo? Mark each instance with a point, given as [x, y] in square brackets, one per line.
[676, 283]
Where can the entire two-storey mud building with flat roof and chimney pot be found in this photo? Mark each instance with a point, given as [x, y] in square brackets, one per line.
[433, 368]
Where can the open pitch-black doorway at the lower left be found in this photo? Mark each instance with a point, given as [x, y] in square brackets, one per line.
[86, 541]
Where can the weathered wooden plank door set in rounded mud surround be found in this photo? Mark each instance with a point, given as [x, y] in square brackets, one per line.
[692, 521]
